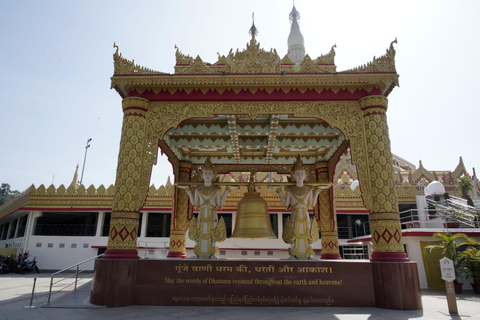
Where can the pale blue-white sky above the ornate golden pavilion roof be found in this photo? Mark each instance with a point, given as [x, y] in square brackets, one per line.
[57, 62]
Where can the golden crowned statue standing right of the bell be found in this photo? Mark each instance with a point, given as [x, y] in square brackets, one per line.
[298, 230]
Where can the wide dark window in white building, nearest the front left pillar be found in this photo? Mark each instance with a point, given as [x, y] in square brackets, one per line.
[66, 224]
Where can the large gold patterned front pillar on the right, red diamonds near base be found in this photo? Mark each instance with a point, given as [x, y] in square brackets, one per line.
[381, 199]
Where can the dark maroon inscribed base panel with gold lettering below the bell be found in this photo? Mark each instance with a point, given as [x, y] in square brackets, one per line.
[254, 283]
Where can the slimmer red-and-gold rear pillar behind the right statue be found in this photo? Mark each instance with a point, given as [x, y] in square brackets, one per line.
[328, 219]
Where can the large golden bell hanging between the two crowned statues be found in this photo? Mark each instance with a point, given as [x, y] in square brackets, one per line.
[253, 219]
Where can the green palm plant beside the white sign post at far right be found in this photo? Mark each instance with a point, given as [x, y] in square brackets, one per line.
[448, 248]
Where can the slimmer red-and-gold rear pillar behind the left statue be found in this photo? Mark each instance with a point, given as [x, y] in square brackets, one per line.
[182, 214]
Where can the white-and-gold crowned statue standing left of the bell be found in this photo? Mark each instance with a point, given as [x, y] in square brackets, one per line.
[207, 229]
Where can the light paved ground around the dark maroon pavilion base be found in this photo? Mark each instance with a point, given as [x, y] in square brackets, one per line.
[16, 292]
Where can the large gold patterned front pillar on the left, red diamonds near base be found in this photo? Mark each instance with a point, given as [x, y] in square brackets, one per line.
[136, 156]
